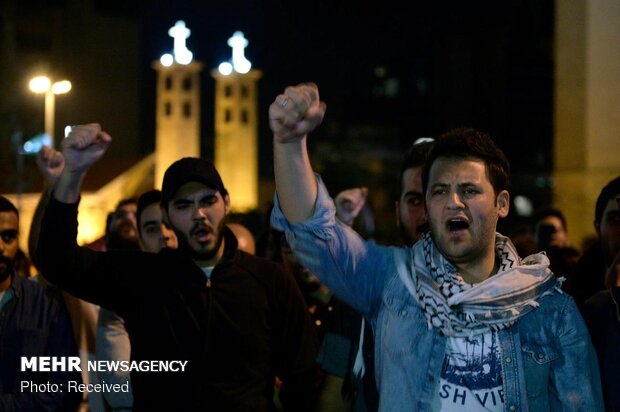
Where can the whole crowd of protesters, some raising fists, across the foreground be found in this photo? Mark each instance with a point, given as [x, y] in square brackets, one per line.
[310, 315]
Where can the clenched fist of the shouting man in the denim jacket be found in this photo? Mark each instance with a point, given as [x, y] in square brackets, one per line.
[296, 112]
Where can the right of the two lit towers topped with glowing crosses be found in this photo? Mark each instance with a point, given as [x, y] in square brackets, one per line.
[236, 126]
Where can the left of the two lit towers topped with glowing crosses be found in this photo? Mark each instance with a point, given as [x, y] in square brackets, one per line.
[177, 114]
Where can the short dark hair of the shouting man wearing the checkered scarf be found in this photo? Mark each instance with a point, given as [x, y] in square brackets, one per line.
[464, 143]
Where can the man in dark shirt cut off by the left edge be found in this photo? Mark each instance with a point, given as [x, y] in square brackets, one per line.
[33, 323]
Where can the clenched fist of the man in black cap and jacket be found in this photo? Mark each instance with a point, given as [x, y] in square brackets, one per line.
[84, 146]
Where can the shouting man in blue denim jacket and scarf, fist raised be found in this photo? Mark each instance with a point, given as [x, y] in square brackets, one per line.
[460, 321]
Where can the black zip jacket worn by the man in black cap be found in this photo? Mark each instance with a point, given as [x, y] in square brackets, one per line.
[248, 326]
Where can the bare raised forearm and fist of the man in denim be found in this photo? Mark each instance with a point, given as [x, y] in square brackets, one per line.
[293, 115]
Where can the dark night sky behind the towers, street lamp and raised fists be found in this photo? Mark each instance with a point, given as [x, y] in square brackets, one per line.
[387, 75]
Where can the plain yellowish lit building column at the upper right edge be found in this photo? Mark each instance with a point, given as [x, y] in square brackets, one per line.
[586, 146]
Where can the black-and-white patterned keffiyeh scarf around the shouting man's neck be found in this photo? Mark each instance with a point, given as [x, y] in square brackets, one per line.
[461, 309]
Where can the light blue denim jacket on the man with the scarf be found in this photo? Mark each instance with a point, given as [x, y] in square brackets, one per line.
[548, 362]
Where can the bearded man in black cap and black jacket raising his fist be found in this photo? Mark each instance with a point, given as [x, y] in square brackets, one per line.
[234, 320]
